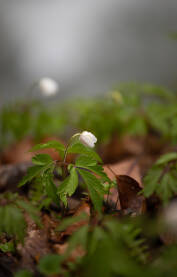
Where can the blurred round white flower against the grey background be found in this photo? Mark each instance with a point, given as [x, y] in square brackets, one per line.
[48, 87]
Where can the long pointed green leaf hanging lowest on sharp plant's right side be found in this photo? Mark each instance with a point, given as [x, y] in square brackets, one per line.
[96, 190]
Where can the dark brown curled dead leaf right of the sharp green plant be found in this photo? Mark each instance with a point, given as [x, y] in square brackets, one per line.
[128, 189]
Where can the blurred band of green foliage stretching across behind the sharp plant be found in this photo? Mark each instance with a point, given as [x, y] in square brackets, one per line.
[130, 108]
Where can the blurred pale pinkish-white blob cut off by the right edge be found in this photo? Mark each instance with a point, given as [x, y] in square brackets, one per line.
[170, 215]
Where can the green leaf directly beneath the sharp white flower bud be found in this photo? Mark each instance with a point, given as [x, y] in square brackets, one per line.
[79, 148]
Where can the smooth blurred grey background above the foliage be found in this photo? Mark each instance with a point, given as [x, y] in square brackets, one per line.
[88, 46]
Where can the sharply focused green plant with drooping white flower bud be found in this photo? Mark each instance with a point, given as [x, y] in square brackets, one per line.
[85, 165]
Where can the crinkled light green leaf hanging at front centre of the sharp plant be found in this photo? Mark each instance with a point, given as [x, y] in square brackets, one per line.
[68, 186]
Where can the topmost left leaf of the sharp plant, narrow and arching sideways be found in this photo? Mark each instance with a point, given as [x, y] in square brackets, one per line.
[59, 147]
